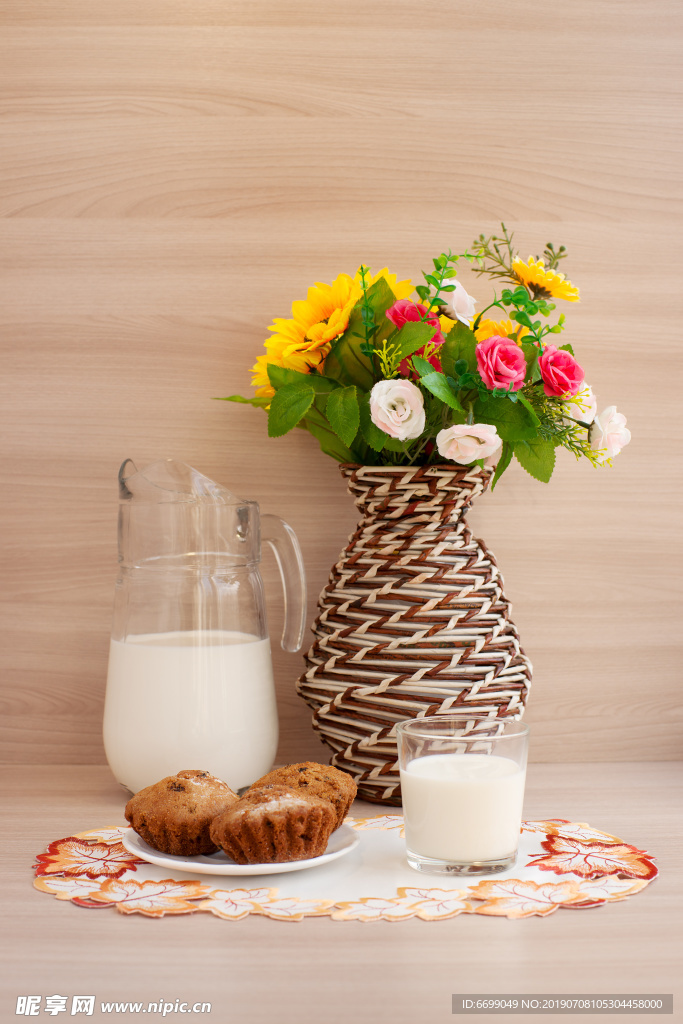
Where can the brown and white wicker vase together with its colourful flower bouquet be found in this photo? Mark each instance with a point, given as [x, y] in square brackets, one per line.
[425, 402]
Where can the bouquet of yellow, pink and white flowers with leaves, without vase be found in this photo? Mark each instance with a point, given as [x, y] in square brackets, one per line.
[380, 378]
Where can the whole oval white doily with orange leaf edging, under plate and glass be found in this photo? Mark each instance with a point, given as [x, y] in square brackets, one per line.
[561, 864]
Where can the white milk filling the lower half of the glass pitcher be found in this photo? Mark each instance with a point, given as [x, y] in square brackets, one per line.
[197, 700]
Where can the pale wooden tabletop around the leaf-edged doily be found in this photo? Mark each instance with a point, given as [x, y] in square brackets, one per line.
[324, 972]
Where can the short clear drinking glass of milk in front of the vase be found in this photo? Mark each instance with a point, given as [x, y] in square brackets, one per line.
[462, 781]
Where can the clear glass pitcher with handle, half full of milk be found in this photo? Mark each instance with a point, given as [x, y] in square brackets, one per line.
[190, 681]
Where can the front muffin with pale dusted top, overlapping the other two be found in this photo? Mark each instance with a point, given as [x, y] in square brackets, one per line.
[274, 825]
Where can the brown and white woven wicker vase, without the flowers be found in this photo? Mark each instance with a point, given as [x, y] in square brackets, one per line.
[413, 622]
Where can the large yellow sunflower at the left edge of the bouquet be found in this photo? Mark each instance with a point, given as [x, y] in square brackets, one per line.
[303, 343]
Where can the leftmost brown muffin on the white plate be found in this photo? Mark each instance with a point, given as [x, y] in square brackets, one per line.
[175, 816]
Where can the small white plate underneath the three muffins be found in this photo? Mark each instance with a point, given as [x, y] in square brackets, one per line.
[341, 842]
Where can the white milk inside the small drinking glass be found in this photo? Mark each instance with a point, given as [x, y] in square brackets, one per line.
[463, 807]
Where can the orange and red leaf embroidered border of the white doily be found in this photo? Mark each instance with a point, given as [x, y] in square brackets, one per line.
[92, 870]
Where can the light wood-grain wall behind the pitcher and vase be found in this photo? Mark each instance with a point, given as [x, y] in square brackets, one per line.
[173, 176]
